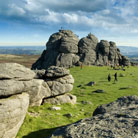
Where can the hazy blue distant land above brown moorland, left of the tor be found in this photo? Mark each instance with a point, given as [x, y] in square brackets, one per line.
[22, 50]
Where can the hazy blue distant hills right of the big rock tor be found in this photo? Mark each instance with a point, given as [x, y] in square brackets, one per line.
[129, 51]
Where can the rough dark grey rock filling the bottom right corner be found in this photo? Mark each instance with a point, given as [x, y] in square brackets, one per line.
[115, 120]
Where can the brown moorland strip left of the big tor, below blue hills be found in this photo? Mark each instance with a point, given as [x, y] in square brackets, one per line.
[26, 60]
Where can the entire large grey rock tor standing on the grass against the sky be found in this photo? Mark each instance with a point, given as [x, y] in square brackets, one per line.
[64, 49]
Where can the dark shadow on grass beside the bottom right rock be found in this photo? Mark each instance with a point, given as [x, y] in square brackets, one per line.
[44, 133]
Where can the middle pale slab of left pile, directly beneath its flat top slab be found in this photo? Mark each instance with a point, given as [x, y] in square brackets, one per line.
[37, 89]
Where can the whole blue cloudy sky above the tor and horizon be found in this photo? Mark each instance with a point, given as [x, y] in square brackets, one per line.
[31, 22]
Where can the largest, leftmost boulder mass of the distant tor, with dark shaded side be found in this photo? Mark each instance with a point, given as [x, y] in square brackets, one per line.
[60, 46]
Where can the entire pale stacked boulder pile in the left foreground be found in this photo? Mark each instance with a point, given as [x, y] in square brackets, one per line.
[21, 87]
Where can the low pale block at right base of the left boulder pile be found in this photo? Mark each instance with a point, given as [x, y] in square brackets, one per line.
[66, 98]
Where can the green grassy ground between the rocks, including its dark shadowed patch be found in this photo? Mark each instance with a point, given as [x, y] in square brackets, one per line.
[40, 121]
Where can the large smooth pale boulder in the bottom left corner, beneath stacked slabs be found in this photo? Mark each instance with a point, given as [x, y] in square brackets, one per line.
[12, 114]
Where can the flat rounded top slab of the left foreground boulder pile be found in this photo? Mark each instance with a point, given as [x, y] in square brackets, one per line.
[15, 71]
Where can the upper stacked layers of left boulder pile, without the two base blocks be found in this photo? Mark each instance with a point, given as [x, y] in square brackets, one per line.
[38, 84]
